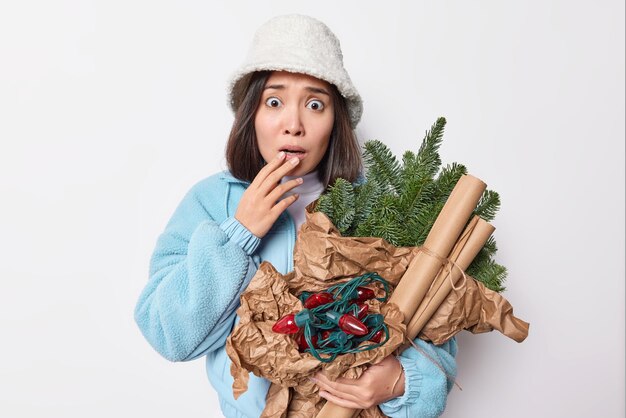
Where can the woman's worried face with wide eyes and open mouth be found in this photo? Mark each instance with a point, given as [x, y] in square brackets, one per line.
[295, 115]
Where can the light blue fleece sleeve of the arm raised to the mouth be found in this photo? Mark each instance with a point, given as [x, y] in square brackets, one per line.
[197, 271]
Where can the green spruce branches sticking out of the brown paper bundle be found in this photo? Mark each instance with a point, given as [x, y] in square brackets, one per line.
[400, 202]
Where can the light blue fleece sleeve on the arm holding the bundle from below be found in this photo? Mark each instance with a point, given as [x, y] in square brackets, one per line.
[426, 385]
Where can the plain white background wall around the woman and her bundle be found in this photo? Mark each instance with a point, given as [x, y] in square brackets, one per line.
[111, 110]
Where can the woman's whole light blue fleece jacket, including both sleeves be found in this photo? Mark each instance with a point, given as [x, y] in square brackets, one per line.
[201, 264]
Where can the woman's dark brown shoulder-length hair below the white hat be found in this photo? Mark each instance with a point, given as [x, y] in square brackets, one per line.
[342, 158]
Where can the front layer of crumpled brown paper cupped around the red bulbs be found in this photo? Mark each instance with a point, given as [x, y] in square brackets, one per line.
[253, 346]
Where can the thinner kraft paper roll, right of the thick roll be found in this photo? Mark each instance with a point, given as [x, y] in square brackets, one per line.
[477, 233]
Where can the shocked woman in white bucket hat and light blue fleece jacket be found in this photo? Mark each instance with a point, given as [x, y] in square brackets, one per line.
[295, 111]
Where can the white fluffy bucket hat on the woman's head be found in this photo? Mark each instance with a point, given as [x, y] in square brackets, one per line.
[298, 44]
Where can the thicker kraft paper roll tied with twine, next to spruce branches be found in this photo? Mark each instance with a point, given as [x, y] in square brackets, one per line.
[440, 240]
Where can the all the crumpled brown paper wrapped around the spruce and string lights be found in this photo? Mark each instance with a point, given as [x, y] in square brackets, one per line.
[322, 258]
